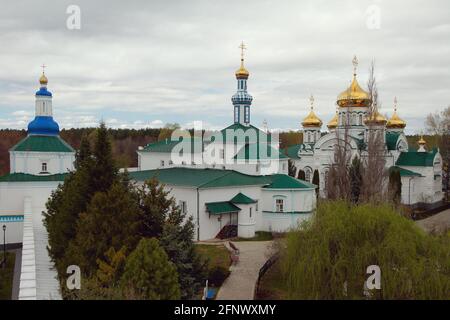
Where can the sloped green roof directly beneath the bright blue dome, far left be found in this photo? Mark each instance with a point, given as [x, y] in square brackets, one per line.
[42, 144]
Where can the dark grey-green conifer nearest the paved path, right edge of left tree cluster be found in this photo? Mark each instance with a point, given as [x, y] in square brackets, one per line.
[177, 241]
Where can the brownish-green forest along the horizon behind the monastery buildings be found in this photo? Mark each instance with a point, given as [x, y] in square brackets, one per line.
[125, 142]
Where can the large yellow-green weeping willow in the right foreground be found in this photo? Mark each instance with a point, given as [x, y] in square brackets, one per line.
[327, 258]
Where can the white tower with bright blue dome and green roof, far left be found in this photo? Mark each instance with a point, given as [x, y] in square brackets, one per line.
[42, 151]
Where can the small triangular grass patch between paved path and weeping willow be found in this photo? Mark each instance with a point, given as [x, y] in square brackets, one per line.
[272, 285]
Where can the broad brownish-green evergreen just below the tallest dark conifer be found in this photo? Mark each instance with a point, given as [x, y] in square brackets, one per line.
[111, 220]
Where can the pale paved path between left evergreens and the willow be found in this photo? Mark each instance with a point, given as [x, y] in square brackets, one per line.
[242, 280]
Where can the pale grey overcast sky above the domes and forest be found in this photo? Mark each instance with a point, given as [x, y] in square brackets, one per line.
[146, 63]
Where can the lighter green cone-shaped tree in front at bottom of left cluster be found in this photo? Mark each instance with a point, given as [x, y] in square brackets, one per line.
[149, 274]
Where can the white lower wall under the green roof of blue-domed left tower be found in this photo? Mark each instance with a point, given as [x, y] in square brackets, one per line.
[31, 162]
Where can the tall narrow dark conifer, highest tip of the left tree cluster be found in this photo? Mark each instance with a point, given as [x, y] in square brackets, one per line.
[104, 171]
